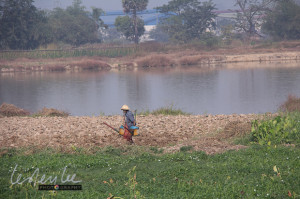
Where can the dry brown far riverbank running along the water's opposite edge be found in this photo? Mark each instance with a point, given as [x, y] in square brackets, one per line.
[167, 58]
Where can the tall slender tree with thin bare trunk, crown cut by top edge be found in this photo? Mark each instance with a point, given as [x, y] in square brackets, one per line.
[132, 7]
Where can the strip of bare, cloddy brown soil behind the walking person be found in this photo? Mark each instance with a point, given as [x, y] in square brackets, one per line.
[209, 133]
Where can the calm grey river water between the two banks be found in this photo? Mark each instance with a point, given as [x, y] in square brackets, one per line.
[226, 89]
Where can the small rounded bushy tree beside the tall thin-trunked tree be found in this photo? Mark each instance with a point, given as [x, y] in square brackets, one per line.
[129, 29]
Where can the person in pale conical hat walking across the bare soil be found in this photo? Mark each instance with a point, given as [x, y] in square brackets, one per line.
[129, 122]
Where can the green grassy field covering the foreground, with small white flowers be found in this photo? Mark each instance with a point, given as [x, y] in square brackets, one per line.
[248, 173]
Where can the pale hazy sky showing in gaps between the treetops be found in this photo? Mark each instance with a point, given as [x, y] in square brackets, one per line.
[111, 5]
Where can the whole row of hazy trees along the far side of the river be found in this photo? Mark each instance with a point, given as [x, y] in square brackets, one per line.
[23, 26]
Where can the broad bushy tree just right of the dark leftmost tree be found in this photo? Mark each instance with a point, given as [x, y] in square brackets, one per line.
[74, 26]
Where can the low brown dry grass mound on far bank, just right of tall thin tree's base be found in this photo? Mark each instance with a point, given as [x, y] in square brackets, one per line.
[155, 61]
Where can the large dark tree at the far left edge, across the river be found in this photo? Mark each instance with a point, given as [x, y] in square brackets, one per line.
[20, 23]
